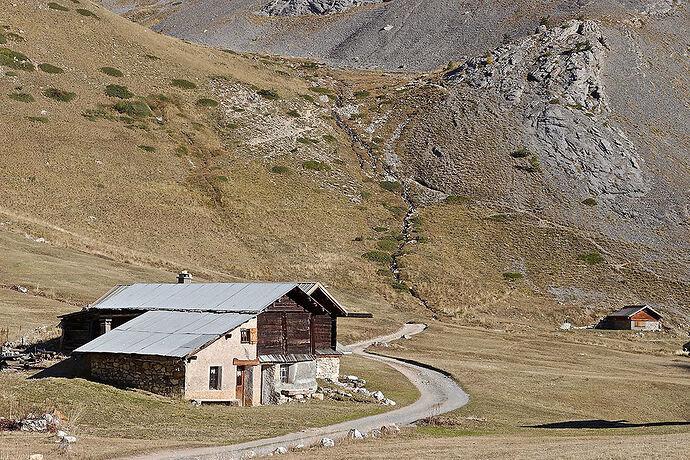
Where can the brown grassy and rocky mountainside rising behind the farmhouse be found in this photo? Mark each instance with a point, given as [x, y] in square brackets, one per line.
[532, 181]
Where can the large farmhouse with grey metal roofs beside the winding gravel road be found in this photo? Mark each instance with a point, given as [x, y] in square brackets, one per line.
[240, 343]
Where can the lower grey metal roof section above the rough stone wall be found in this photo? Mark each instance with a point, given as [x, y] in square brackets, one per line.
[165, 333]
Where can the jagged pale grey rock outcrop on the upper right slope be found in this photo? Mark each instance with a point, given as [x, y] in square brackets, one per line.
[554, 79]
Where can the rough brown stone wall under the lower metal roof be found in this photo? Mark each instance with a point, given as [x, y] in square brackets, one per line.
[160, 375]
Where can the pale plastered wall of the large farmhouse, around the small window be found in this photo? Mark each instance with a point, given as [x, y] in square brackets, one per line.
[221, 353]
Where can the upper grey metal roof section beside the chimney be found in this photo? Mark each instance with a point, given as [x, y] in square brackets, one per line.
[220, 297]
